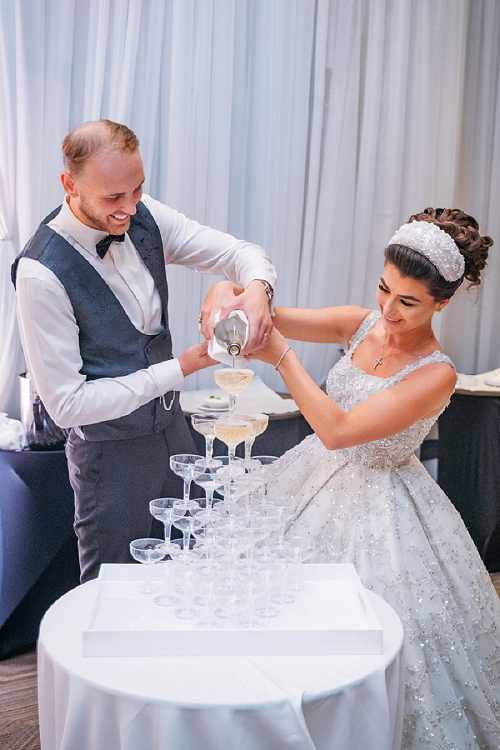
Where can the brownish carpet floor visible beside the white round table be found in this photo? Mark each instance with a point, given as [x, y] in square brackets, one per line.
[18, 698]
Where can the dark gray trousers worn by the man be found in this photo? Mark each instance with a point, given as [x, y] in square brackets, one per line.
[113, 482]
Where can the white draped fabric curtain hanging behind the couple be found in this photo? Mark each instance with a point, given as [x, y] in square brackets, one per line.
[313, 127]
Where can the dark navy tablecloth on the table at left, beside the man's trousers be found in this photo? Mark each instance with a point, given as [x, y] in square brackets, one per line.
[38, 552]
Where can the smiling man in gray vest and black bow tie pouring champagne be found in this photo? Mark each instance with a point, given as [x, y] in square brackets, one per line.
[93, 316]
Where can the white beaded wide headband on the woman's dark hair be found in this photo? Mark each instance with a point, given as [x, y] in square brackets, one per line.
[435, 244]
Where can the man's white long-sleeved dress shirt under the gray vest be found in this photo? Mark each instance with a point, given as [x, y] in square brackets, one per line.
[49, 331]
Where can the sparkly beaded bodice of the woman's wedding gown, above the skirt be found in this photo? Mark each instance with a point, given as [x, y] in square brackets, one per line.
[347, 385]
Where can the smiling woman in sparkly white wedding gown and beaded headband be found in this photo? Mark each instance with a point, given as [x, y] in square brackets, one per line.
[358, 488]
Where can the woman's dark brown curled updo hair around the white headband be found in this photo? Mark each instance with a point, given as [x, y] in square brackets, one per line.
[464, 230]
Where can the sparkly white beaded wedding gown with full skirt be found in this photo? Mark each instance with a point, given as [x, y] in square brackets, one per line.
[375, 506]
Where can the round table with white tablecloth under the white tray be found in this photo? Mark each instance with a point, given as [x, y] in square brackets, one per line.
[214, 703]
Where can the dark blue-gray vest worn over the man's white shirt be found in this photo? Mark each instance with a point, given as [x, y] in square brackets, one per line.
[110, 345]
